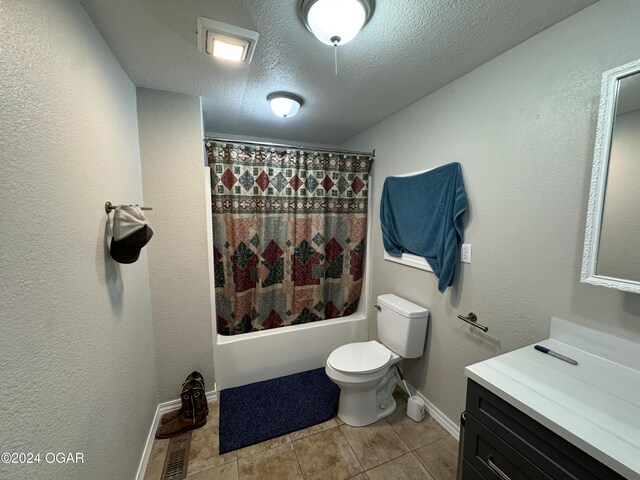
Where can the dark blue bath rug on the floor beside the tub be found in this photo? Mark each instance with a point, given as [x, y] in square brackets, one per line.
[263, 410]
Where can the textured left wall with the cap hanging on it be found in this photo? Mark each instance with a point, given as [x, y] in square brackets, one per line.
[76, 348]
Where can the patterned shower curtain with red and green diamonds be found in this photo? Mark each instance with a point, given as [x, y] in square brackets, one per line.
[289, 230]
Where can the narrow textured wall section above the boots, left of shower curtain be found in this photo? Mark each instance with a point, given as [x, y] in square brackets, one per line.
[173, 181]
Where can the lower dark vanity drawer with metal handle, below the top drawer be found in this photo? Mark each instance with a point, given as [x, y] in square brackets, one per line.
[493, 458]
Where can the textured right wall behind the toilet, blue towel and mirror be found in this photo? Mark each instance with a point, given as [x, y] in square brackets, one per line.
[523, 128]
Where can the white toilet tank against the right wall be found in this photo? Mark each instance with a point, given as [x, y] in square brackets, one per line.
[402, 325]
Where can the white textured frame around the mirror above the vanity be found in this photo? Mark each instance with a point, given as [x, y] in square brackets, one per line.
[606, 116]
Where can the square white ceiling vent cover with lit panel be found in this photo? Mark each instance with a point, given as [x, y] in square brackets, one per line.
[225, 41]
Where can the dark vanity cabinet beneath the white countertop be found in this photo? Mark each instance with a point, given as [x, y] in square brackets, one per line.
[502, 443]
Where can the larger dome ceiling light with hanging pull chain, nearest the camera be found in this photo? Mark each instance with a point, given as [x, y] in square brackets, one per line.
[336, 22]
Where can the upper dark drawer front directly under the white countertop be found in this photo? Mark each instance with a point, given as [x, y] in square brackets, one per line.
[551, 453]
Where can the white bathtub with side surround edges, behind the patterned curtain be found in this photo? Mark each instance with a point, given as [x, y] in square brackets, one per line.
[256, 356]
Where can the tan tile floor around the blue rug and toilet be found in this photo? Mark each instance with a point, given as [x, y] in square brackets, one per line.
[393, 448]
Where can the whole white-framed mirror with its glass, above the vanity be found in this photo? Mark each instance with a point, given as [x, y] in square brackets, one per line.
[611, 256]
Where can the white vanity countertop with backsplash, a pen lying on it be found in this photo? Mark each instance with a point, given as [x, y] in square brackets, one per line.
[595, 405]
